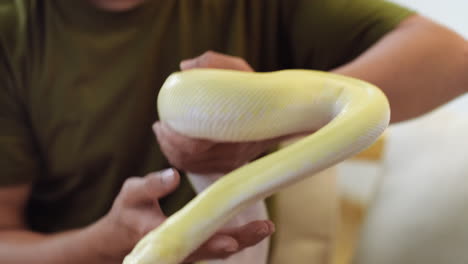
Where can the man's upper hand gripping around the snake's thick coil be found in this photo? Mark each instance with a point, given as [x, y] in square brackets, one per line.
[204, 156]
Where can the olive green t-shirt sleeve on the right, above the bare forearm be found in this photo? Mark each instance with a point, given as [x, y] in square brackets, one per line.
[324, 34]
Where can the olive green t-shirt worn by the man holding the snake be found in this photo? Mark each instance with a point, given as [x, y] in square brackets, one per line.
[78, 85]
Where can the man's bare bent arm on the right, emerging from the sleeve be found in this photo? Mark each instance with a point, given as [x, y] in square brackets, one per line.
[420, 66]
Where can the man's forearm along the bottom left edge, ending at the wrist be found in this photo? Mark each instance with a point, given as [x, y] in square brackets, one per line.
[78, 246]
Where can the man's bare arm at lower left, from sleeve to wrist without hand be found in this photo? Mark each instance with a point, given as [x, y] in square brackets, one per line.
[18, 245]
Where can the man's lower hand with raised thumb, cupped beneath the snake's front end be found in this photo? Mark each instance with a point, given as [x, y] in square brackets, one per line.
[136, 211]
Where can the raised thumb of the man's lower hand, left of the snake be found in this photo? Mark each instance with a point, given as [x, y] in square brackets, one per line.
[150, 188]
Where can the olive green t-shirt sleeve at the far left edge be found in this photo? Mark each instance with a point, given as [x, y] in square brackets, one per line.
[18, 156]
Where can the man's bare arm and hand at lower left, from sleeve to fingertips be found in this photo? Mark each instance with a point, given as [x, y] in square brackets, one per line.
[135, 212]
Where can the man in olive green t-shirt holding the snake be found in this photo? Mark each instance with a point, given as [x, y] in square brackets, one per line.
[77, 100]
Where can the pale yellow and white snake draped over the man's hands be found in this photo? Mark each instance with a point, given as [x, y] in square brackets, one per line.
[347, 114]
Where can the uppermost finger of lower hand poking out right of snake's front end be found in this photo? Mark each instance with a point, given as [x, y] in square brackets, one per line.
[251, 233]
